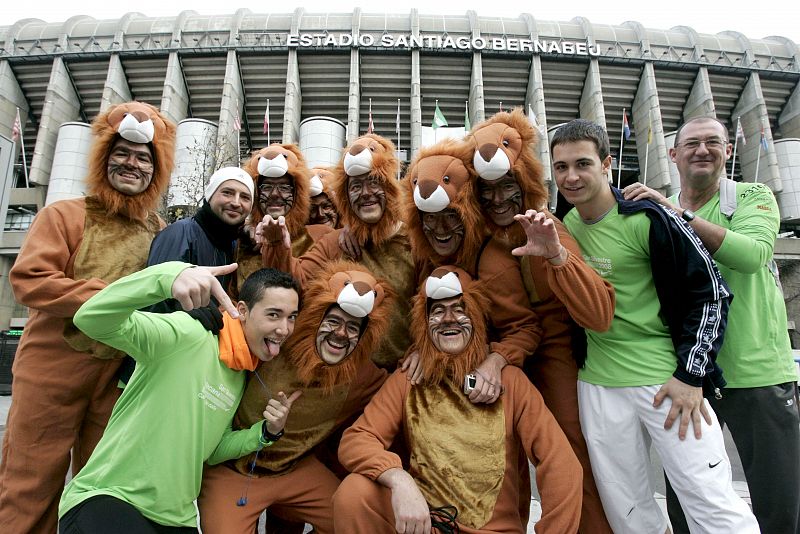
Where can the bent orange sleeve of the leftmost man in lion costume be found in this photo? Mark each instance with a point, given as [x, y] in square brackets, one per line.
[41, 275]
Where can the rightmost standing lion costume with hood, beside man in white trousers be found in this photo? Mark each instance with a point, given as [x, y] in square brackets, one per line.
[560, 295]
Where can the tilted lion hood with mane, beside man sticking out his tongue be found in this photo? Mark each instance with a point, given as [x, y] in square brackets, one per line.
[357, 292]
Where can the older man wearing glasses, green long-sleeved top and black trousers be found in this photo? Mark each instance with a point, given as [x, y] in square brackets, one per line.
[738, 224]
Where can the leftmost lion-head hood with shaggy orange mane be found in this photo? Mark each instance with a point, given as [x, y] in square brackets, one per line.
[136, 122]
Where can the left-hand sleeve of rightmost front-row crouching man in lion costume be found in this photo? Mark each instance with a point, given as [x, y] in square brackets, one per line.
[364, 445]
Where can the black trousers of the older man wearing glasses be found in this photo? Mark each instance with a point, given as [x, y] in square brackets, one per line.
[765, 425]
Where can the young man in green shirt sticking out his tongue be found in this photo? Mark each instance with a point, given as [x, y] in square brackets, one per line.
[176, 412]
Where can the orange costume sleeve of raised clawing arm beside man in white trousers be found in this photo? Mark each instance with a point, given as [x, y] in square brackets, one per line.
[588, 297]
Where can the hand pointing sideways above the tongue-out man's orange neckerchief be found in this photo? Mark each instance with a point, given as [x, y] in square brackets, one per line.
[194, 287]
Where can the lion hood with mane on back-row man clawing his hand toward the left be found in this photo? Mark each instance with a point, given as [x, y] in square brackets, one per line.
[380, 161]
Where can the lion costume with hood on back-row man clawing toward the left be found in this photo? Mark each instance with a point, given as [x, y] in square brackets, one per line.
[385, 249]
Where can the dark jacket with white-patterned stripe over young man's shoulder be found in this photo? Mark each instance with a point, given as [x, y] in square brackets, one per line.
[694, 298]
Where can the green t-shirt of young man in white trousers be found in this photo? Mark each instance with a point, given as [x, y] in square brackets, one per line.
[637, 350]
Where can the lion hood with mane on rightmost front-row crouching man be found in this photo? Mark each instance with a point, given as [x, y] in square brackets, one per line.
[446, 282]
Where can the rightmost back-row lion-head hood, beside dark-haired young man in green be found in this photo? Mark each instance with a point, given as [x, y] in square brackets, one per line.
[504, 145]
